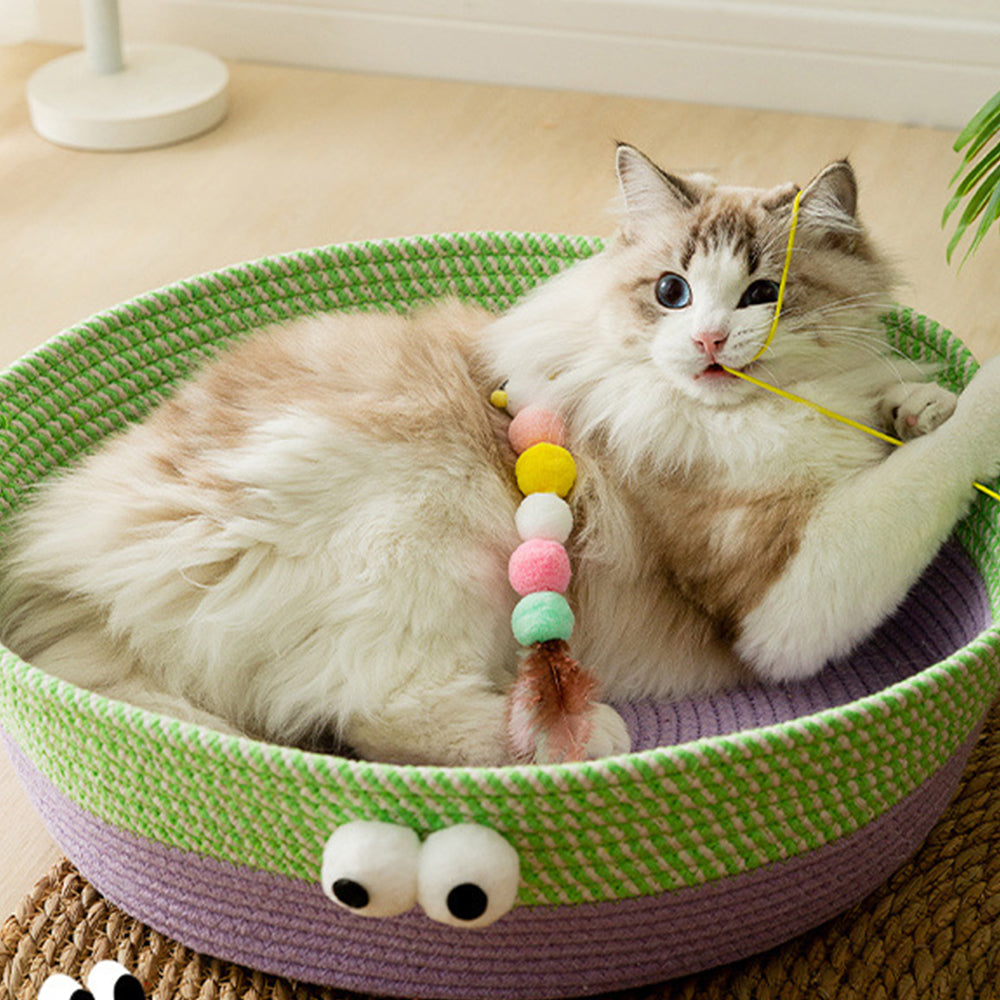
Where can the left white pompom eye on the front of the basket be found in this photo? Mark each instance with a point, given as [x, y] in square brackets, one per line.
[371, 868]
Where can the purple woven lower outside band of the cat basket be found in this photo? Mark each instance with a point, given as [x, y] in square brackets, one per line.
[289, 928]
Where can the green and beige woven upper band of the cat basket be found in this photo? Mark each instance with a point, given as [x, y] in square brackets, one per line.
[620, 828]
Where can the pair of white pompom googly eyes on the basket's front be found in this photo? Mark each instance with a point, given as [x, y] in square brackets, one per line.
[463, 876]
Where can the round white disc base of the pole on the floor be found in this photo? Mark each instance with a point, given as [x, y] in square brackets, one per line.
[165, 94]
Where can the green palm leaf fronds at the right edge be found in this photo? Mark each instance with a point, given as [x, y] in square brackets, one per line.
[980, 185]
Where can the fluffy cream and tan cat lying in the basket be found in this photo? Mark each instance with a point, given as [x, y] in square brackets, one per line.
[308, 542]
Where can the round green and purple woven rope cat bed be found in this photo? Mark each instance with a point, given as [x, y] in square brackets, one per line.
[736, 823]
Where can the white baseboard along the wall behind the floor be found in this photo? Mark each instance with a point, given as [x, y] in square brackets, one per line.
[809, 59]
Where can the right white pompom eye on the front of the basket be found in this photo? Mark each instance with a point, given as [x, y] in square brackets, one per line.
[469, 876]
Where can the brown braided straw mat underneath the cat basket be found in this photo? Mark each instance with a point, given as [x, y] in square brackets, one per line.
[932, 932]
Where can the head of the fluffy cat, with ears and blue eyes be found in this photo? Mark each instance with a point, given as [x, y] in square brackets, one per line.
[700, 267]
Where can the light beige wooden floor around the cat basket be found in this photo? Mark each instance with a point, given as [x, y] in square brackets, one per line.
[309, 157]
